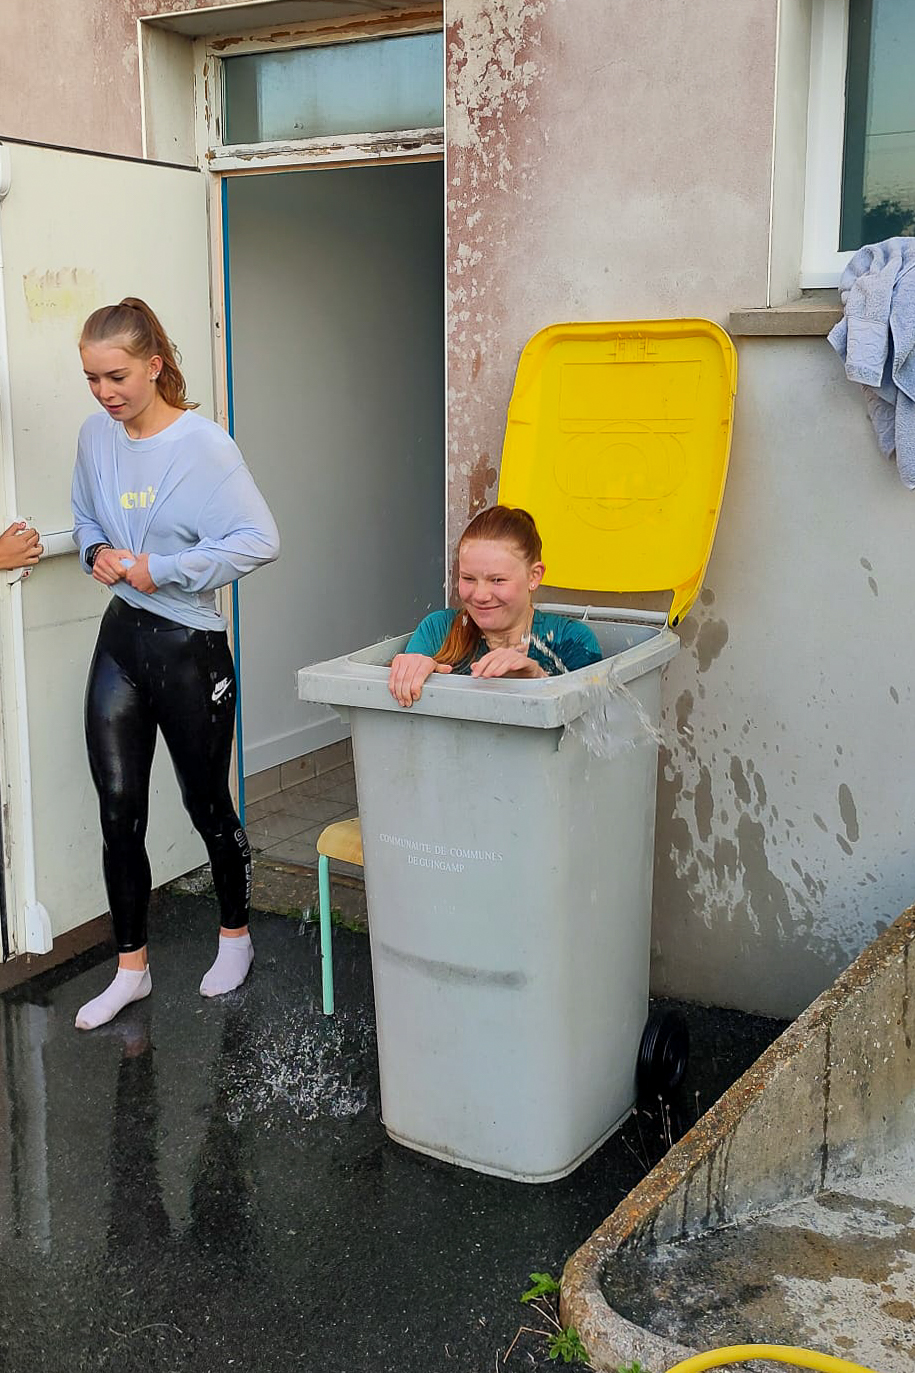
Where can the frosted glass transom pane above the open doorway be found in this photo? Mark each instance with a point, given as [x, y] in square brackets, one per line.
[370, 87]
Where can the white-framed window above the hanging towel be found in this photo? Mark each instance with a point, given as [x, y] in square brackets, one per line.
[861, 150]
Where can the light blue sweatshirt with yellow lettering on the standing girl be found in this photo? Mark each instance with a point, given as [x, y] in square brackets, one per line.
[183, 496]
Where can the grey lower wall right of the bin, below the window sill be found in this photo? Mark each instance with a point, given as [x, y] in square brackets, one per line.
[785, 804]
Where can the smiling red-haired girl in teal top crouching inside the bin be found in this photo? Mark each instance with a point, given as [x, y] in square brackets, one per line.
[498, 632]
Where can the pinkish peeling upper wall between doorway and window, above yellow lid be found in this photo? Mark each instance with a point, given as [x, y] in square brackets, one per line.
[605, 161]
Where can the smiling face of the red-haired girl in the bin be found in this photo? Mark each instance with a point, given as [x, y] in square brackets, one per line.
[495, 584]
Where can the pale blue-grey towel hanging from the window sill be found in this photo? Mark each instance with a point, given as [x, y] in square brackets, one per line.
[877, 343]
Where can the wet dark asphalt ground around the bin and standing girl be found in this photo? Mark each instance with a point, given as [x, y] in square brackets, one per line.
[207, 1186]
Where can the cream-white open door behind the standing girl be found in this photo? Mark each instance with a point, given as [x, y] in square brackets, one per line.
[76, 231]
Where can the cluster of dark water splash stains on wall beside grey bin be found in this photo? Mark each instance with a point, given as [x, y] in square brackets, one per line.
[723, 892]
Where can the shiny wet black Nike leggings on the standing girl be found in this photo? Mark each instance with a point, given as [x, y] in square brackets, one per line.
[152, 673]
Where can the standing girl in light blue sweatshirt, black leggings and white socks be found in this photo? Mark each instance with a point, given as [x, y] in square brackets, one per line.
[166, 513]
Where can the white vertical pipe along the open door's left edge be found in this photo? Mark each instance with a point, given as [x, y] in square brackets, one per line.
[31, 922]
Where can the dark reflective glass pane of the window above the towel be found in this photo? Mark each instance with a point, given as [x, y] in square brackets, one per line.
[879, 178]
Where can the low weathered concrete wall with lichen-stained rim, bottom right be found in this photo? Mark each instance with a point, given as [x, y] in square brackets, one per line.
[833, 1091]
